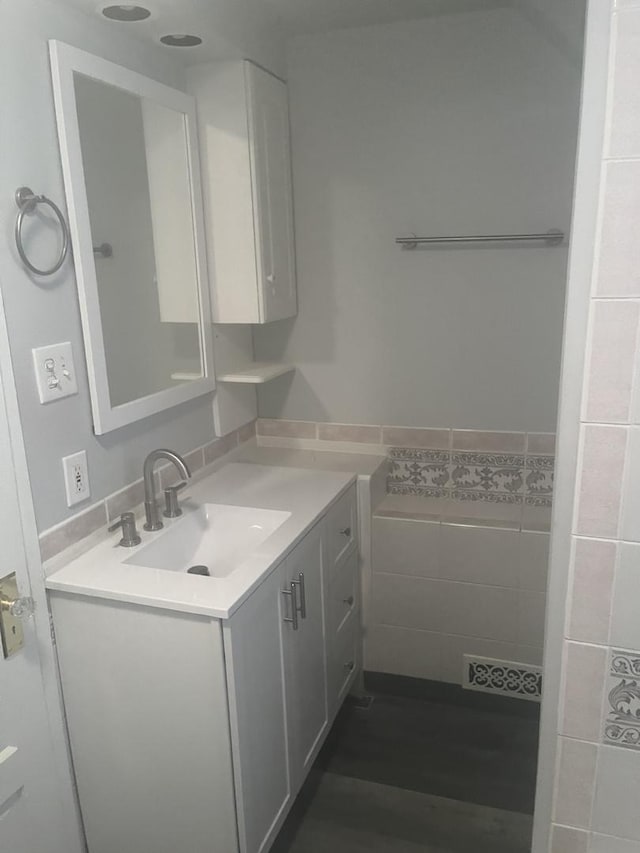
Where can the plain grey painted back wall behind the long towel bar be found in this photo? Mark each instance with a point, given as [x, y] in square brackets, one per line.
[456, 124]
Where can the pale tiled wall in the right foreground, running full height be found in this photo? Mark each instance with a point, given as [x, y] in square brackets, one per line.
[597, 795]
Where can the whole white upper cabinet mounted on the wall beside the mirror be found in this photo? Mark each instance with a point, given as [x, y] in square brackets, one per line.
[244, 144]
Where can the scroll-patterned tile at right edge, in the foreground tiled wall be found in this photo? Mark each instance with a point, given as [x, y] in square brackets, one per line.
[622, 723]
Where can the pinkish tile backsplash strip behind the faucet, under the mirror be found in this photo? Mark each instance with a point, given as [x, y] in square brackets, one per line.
[78, 527]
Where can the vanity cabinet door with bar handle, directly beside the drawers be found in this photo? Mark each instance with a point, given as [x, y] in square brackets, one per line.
[305, 655]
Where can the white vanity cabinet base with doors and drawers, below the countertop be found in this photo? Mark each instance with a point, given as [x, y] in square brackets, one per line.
[193, 733]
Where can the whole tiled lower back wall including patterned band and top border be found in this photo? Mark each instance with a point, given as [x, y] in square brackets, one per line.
[459, 545]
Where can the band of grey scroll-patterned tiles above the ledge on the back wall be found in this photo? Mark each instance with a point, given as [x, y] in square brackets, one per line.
[471, 476]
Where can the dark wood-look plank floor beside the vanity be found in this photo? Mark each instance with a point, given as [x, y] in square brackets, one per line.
[425, 768]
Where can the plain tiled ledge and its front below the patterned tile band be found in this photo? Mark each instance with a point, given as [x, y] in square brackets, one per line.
[442, 590]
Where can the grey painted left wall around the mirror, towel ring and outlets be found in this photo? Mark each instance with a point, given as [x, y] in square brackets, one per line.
[46, 311]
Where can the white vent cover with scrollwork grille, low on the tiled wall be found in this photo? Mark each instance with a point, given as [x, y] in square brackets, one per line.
[521, 680]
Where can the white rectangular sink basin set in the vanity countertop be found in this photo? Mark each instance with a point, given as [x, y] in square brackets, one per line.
[218, 536]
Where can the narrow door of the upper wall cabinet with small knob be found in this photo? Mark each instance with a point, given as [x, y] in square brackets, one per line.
[269, 123]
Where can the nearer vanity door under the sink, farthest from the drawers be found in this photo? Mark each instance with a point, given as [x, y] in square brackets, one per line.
[257, 700]
